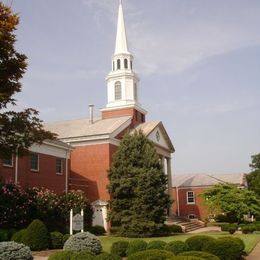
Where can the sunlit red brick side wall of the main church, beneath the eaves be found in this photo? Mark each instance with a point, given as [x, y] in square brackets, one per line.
[89, 165]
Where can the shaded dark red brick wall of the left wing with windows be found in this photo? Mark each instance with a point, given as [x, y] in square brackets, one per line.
[45, 177]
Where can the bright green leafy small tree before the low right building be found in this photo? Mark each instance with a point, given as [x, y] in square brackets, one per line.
[229, 199]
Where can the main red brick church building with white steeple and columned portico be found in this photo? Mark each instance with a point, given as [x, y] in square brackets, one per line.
[95, 140]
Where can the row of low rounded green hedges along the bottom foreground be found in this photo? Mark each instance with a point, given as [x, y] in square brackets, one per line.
[202, 246]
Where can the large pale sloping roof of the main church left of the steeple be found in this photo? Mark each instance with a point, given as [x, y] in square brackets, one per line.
[83, 127]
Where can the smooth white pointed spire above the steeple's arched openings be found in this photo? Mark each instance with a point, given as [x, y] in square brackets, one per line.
[121, 39]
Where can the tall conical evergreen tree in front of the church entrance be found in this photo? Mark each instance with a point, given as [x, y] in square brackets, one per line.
[137, 188]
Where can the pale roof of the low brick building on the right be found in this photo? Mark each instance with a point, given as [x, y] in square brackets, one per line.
[200, 180]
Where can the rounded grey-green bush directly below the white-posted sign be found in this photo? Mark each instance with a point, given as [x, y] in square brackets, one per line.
[84, 241]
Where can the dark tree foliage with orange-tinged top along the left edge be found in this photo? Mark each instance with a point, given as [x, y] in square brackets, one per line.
[18, 130]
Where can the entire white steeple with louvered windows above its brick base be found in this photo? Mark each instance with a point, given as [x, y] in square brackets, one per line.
[122, 81]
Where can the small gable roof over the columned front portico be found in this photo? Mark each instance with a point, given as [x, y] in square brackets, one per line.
[148, 127]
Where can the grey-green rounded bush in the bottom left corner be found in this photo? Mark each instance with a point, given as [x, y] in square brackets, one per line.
[12, 250]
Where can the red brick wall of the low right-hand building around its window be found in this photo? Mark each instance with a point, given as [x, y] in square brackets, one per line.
[199, 209]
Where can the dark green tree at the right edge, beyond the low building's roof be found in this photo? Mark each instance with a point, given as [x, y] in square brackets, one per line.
[253, 178]
